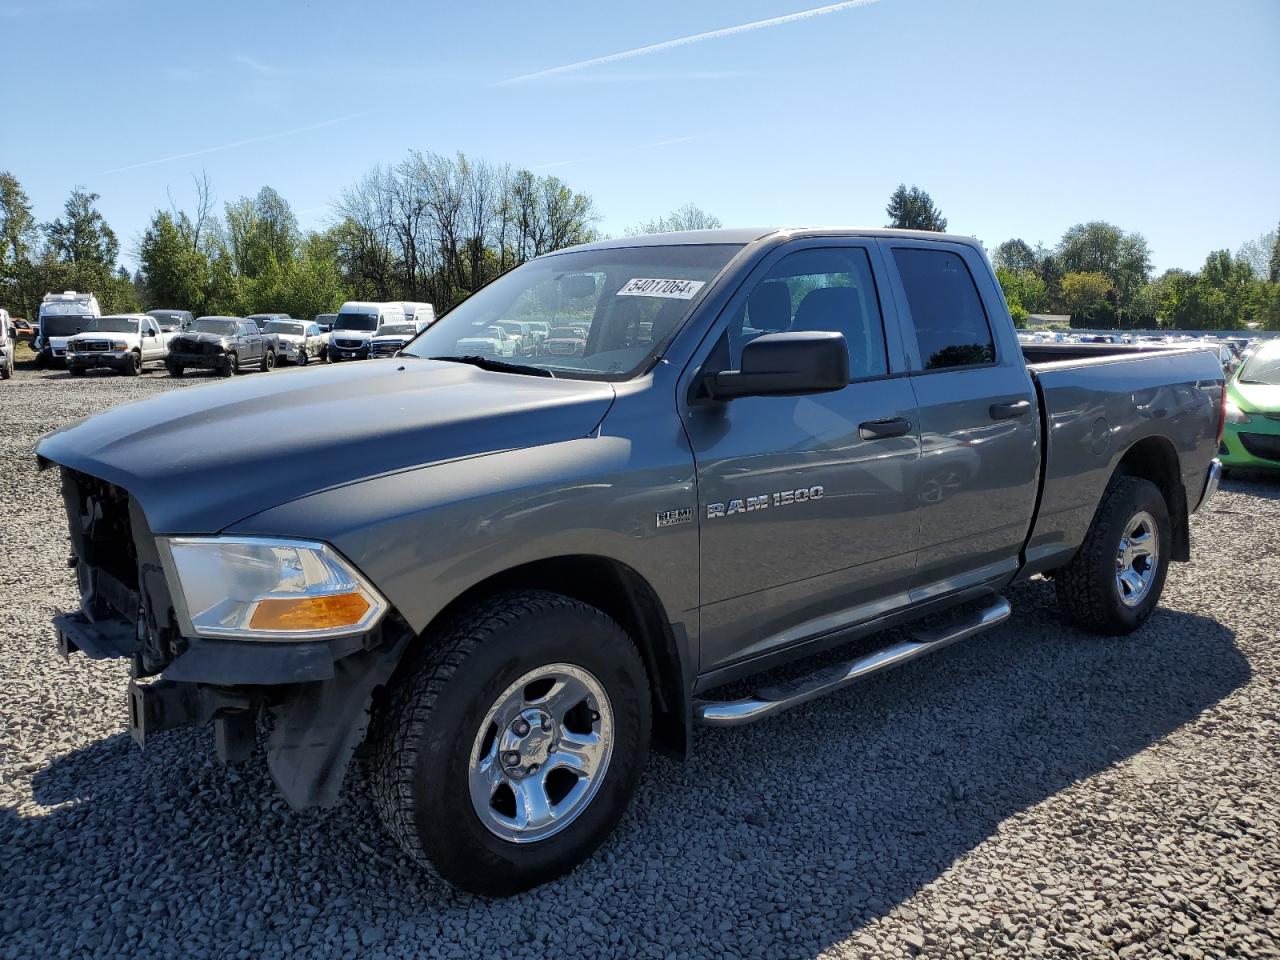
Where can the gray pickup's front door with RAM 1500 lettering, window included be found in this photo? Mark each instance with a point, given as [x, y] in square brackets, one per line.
[804, 502]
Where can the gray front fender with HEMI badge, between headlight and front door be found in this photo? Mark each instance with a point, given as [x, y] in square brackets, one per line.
[424, 537]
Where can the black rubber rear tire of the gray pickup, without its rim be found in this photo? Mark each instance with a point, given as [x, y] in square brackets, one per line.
[1089, 593]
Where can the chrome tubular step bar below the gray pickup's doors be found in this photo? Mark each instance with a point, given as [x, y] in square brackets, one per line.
[780, 697]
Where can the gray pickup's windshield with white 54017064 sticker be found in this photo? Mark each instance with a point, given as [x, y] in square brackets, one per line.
[628, 303]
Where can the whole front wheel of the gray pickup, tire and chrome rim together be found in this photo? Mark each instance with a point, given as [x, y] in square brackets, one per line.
[513, 749]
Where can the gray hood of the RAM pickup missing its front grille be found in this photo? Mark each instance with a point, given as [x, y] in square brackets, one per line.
[202, 459]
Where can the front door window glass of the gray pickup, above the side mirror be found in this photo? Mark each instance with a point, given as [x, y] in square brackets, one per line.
[829, 289]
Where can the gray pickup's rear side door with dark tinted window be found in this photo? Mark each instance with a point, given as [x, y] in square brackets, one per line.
[980, 424]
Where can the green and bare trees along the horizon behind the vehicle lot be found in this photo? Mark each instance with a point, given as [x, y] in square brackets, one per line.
[437, 228]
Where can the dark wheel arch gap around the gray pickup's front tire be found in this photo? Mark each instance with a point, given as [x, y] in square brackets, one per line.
[625, 596]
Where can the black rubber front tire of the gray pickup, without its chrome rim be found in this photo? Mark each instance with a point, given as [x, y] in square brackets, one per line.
[427, 728]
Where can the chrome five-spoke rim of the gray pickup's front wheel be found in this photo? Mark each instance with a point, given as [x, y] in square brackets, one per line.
[542, 753]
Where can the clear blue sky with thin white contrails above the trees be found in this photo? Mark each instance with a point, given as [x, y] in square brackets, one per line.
[1020, 117]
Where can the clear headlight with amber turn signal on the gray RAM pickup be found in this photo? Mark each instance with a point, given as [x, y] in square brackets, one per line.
[269, 589]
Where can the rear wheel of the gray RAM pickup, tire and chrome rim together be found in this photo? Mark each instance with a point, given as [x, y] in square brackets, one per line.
[1114, 582]
